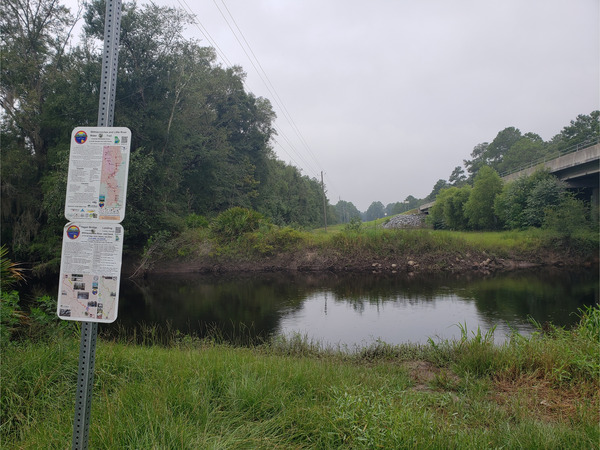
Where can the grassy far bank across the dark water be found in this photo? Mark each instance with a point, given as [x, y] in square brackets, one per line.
[359, 247]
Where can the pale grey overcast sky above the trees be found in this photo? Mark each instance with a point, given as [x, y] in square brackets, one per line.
[389, 96]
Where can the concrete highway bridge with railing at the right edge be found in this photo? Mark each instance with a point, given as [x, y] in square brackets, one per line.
[578, 167]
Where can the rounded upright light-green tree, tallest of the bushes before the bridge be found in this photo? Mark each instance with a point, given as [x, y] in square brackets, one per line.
[479, 208]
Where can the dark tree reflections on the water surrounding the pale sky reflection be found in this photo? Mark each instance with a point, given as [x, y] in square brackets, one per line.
[257, 303]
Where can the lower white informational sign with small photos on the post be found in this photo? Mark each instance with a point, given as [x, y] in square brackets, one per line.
[89, 272]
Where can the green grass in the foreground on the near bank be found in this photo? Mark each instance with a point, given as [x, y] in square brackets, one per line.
[532, 392]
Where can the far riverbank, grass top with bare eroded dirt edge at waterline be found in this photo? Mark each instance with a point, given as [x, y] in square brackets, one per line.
[372, 250]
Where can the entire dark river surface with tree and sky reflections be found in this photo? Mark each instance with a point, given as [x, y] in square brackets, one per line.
[356, 309]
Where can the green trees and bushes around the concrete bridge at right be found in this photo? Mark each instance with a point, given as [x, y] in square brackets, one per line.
[508, 152]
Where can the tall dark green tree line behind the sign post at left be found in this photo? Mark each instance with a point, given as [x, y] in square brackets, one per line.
[201, 143]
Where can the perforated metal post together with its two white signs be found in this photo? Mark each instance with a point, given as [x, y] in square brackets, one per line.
[93, 239]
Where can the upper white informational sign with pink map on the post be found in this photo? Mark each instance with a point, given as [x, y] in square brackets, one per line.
[98, 169]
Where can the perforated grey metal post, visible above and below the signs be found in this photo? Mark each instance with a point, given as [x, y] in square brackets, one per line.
[89, 330]
